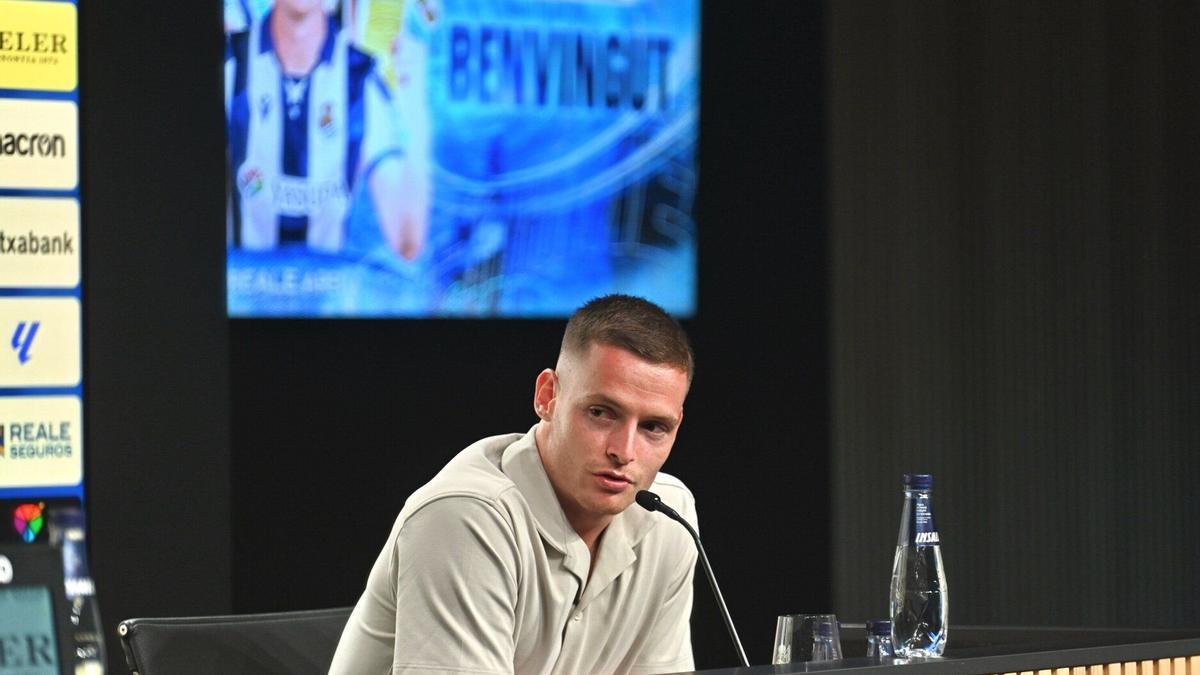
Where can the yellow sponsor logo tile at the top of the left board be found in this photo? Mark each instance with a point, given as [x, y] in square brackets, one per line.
[39, 46]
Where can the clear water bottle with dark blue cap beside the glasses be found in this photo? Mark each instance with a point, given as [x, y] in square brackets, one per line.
[920, 598]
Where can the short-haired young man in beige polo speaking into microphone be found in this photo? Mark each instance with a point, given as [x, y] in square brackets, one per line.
[524, 554]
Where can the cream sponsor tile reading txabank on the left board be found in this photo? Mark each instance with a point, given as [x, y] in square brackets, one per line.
[39, 243]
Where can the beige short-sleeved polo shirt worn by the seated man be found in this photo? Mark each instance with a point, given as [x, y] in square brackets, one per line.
[483, 574]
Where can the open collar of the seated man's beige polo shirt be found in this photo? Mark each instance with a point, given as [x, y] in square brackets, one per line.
[523, 464]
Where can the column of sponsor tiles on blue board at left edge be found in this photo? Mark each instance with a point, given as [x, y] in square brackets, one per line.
[41, 387]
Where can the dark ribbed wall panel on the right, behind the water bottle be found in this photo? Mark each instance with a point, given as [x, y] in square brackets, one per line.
[1013, 249]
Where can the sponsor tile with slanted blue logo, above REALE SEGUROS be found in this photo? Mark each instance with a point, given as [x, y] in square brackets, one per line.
[39, 343]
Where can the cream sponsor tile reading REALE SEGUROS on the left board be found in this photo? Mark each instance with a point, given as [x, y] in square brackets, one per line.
[43, 441]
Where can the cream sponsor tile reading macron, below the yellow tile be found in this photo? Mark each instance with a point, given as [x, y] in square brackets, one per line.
[39, 145]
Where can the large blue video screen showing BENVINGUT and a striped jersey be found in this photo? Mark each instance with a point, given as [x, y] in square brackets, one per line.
[460, 158]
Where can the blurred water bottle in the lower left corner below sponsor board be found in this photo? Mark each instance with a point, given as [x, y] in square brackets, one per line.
[68, 533]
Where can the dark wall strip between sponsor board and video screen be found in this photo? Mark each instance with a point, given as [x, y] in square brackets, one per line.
[157, 339]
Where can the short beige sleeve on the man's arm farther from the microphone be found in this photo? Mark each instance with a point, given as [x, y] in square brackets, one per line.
[457, 589]
